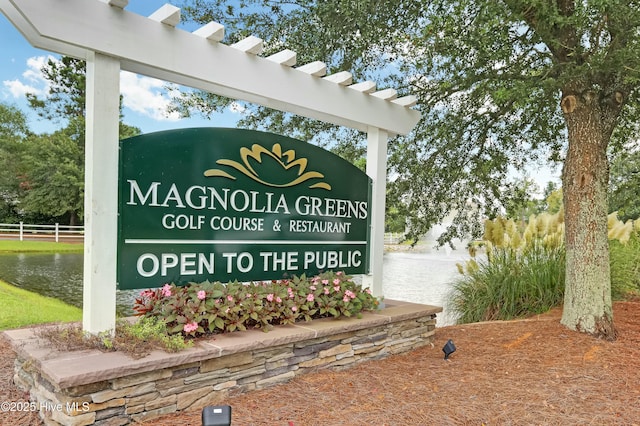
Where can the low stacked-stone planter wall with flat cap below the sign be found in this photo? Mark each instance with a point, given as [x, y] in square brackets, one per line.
[95, 388]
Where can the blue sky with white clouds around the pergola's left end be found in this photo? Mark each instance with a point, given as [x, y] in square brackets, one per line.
[144, 98]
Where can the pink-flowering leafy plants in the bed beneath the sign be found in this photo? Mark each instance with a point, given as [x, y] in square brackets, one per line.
[201, 308]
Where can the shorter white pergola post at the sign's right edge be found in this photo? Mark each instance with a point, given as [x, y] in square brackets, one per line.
[377, 171]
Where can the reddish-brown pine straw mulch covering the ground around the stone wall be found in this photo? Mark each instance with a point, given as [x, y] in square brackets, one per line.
[525, 372]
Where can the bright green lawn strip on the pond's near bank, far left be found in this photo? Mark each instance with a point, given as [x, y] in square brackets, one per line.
[19, 308]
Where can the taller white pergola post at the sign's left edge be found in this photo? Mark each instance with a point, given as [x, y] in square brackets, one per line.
[101, 193]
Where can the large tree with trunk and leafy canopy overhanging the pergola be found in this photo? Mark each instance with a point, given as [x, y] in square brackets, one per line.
[501, 84]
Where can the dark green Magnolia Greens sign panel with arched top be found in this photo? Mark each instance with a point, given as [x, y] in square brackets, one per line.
[225, 204]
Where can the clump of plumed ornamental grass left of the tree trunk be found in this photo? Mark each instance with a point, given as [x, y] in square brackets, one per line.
[522, 273]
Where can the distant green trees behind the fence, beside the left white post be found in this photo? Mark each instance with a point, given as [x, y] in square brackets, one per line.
[42, 176]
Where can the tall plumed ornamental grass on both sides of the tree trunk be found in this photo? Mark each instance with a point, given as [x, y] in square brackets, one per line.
[523, 272]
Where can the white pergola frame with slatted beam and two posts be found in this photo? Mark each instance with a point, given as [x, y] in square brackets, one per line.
[112, 39]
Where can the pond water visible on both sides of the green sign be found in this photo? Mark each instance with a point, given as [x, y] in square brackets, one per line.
[419, 277]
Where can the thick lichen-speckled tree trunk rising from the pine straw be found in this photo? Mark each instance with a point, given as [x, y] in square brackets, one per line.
[587, 299]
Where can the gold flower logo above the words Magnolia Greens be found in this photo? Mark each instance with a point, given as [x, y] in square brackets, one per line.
[272, 168]
